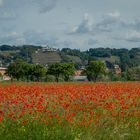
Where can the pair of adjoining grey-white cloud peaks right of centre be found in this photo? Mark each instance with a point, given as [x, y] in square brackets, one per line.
[108, 22]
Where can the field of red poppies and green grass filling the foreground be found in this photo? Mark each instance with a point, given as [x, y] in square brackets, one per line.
[70, 111]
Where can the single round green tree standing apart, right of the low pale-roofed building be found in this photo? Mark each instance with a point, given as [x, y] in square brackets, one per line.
[94, 69]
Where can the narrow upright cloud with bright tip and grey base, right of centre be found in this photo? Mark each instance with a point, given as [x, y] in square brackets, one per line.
[85, 26]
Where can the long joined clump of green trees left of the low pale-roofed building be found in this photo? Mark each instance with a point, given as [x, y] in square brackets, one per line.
[23, 71]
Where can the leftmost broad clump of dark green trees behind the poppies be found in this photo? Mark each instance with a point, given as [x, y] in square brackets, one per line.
[21, 70]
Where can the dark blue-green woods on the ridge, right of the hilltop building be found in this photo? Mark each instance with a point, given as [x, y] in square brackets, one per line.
[126, 58]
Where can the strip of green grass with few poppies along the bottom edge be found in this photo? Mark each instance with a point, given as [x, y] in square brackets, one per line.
[35, 130]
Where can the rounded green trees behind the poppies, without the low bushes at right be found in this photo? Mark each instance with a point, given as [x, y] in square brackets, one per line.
[23, 71]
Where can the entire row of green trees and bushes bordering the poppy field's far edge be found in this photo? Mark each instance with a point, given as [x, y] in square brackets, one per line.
[94, 70]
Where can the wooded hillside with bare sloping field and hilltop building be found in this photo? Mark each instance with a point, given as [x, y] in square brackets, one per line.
[36, 54]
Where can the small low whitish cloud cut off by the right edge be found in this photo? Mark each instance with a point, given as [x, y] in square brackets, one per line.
[133, 37]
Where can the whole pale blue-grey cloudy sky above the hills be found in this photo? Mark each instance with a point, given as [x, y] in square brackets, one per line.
[76, 24]
